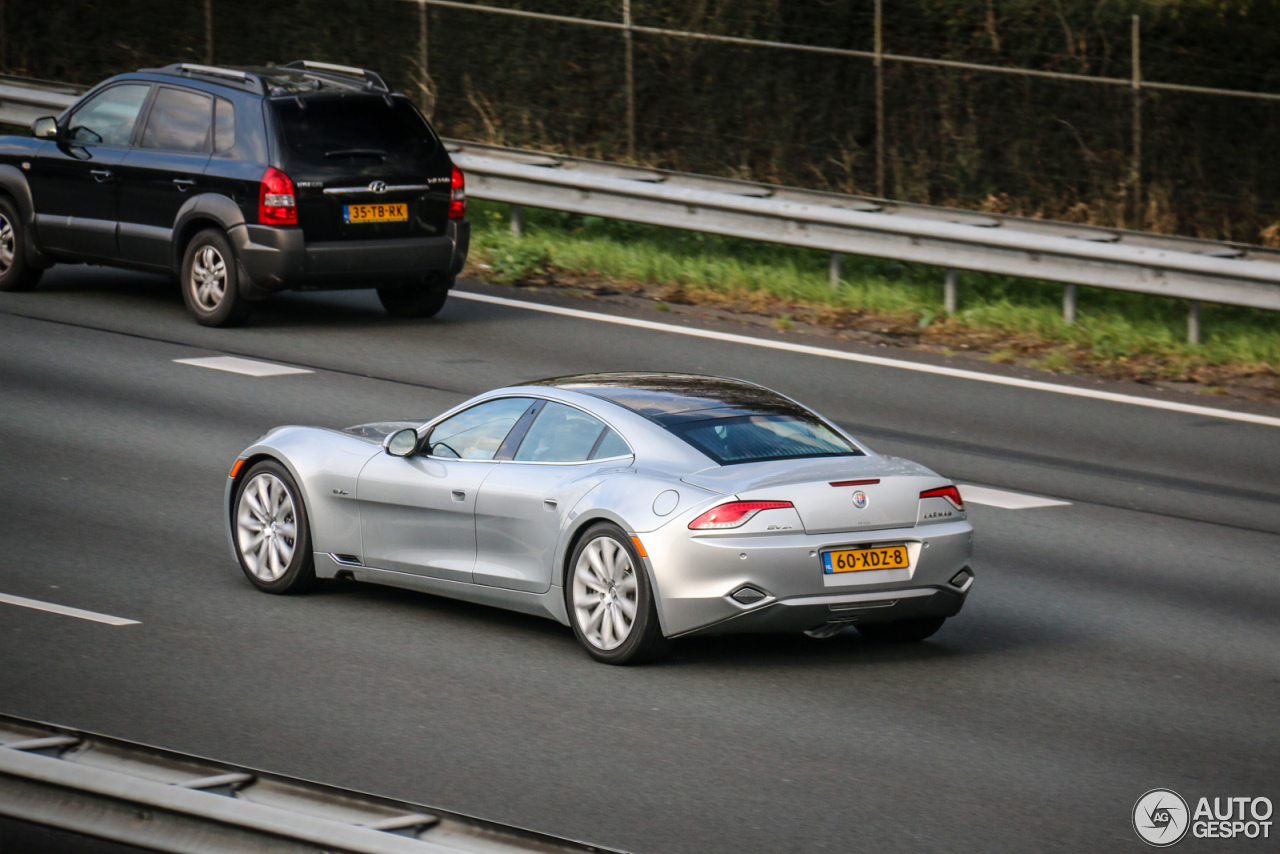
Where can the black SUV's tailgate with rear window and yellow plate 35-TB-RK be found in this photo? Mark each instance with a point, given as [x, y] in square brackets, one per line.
[364, 167]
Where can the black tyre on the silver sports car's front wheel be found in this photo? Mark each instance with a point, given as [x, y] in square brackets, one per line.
[295, 576]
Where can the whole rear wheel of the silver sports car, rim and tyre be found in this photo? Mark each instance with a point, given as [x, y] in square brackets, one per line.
[611, 604]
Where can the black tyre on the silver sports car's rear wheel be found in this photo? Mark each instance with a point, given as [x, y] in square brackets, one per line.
[644, 641]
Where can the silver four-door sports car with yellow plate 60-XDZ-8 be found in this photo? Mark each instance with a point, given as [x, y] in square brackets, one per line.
[633, 508]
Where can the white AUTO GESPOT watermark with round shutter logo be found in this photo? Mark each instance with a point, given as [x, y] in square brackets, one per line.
[1162, 818]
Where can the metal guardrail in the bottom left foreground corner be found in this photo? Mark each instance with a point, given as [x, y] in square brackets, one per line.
[163, 801]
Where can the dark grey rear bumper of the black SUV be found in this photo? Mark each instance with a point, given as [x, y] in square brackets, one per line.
[280, 259]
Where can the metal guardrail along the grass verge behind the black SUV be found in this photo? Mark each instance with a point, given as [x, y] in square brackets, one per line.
[957, 240]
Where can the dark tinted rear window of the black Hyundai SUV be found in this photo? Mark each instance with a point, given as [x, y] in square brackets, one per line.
[332, 130]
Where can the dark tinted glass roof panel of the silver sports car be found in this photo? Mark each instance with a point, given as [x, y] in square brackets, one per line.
[680, 399]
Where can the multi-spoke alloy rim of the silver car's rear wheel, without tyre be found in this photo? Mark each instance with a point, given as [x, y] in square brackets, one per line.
[606, 593]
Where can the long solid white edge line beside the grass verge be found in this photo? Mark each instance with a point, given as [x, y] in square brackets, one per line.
[1191, 409]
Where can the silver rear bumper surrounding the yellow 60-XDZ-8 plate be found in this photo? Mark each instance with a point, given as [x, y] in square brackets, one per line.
[696, 578]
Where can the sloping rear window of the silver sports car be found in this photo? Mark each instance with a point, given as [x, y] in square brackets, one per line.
[760, 439]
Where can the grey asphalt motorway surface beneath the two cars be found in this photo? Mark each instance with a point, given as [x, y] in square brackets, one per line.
[1117, 645]
